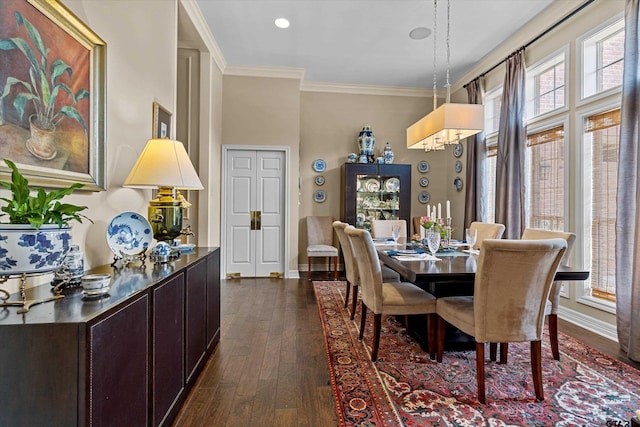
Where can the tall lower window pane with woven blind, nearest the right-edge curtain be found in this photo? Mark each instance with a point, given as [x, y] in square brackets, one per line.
[601, 133]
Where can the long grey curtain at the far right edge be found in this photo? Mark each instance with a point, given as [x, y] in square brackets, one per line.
[627, 220]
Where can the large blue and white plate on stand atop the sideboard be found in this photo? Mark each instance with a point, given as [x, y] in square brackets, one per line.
[129, 233]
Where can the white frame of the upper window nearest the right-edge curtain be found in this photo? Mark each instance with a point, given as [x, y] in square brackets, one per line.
[581, 99]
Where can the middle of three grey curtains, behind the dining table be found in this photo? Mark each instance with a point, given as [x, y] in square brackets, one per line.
[512, 139]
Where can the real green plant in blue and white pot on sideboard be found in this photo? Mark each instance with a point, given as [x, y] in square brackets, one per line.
[37, 237]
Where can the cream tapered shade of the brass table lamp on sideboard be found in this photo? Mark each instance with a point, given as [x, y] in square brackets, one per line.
[164, 163]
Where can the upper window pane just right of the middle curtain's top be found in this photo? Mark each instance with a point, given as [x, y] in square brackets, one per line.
[545, 86]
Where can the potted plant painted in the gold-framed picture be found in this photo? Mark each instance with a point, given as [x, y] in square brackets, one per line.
[43, 90]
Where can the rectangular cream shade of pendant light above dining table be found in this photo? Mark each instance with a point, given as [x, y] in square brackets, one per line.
[447, 124]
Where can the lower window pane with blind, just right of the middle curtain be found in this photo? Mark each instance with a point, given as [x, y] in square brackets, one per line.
[545, 168]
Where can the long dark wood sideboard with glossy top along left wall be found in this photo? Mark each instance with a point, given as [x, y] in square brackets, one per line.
[128, 359]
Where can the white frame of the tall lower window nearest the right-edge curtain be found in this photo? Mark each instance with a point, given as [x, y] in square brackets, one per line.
[583, 227]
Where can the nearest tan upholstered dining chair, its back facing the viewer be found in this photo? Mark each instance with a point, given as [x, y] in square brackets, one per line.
[512, 284]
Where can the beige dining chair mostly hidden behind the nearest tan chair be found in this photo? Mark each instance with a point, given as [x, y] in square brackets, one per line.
[551, 307]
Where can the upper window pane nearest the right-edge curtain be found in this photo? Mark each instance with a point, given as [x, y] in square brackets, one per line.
[603, 59]
